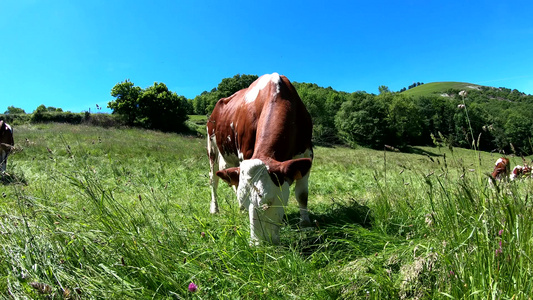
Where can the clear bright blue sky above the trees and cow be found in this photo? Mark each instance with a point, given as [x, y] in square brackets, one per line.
[69, 54]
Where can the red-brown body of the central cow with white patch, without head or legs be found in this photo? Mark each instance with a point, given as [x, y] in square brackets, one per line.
[268, 119]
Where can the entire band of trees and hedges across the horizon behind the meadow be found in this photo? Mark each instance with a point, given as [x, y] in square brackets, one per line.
[490, 119]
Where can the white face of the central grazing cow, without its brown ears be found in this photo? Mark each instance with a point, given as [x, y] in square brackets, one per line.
[265, 201]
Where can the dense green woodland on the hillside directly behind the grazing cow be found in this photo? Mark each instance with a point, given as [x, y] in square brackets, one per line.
[490, 119]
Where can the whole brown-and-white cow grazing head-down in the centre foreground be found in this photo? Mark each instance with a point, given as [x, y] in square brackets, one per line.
[259, 141]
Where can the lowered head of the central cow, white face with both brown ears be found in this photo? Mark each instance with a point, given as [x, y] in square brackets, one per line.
[263, 188]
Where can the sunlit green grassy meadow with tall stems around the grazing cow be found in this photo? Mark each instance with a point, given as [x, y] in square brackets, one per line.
[94, 213]
